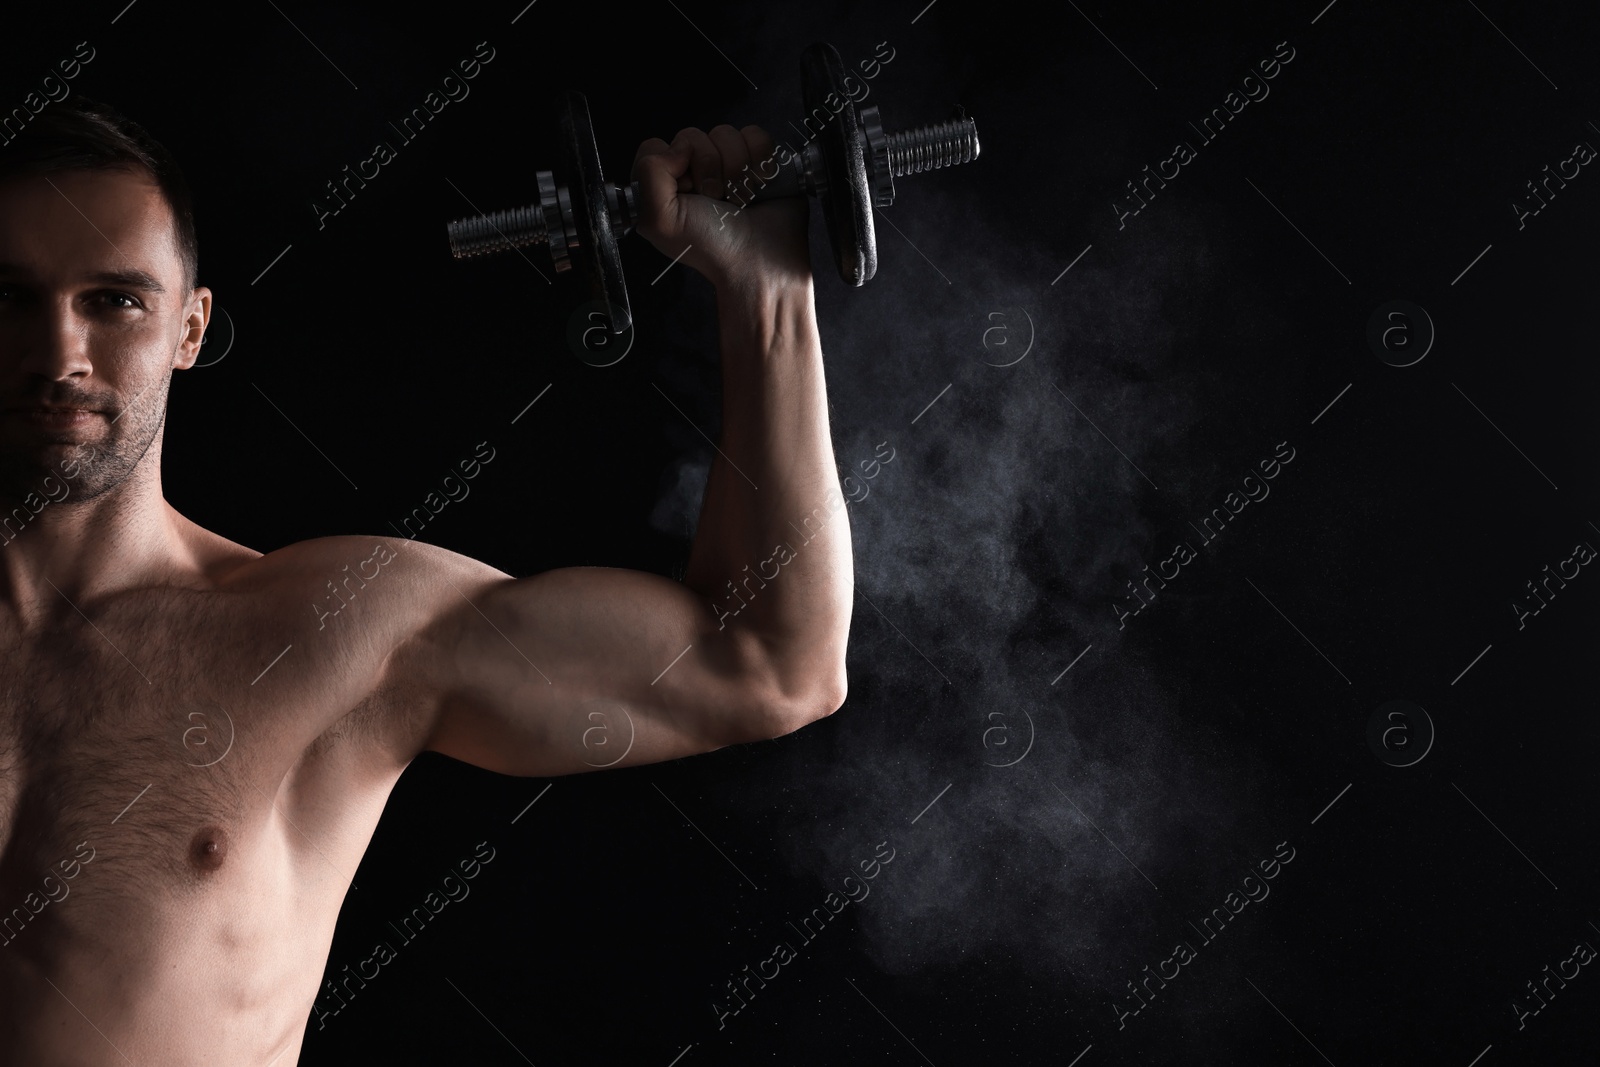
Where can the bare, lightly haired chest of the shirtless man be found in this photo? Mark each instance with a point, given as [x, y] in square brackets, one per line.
[143, 756]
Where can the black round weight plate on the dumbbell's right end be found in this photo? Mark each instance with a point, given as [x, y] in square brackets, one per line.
[847, 204]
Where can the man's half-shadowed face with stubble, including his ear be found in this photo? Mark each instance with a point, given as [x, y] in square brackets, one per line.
[94, 316]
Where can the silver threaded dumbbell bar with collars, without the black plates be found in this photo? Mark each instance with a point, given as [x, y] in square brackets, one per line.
[889, 156]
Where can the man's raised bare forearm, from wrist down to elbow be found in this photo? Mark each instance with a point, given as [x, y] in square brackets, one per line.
[772, 554]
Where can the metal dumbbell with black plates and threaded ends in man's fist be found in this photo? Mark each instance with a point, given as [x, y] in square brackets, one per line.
[849, 166]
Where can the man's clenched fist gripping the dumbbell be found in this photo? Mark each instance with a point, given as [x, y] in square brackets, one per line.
[694, 198]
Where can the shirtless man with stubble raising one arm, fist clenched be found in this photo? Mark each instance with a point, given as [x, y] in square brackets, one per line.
[170, 901]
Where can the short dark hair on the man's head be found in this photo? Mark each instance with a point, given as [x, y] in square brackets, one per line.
[86, 135]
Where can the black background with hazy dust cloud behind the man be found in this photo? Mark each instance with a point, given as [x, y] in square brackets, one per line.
[1174, 356]
